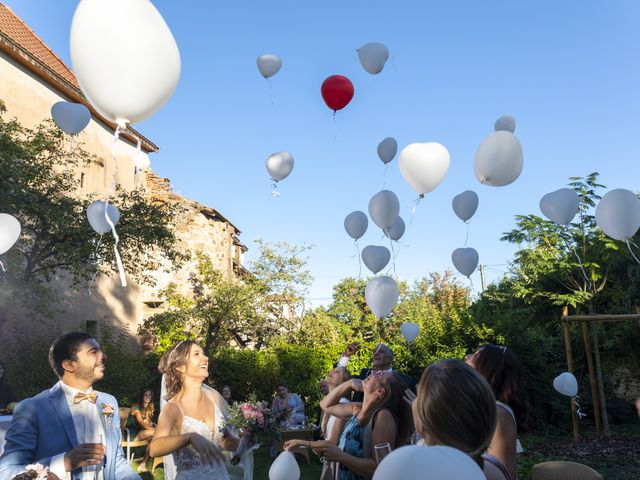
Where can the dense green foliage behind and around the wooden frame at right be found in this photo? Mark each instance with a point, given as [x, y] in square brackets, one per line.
[526, 307]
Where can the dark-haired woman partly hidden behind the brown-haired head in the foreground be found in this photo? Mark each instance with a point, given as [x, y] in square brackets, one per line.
[501, 368]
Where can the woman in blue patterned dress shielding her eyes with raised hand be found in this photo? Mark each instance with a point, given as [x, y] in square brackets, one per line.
[382, 417]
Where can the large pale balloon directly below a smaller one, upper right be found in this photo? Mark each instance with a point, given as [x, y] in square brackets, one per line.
[499, 159]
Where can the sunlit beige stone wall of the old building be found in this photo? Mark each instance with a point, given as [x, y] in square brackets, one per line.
[29, 98]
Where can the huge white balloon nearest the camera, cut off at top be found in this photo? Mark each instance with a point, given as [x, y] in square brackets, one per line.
[125, 58]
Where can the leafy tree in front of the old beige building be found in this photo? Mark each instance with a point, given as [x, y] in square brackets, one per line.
[39, 185]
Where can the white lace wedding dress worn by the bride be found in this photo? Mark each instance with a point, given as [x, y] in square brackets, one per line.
[188, 462]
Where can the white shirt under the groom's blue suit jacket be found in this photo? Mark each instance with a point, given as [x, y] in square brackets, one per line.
[86, 421]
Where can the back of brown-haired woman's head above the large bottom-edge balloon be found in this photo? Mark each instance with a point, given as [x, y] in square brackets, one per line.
[455, 407]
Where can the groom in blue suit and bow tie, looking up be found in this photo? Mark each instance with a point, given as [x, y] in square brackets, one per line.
[62, 427]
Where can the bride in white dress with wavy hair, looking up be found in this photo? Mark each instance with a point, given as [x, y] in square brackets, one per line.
[189, 426]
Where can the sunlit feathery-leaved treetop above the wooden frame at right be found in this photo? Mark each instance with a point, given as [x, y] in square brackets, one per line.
[569, 265]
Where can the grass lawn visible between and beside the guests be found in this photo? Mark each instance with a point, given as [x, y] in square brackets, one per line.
[617, 458]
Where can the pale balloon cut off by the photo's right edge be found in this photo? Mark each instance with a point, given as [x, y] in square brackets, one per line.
[618, 214]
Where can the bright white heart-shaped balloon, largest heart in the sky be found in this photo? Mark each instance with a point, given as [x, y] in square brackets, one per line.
[424, 165]
